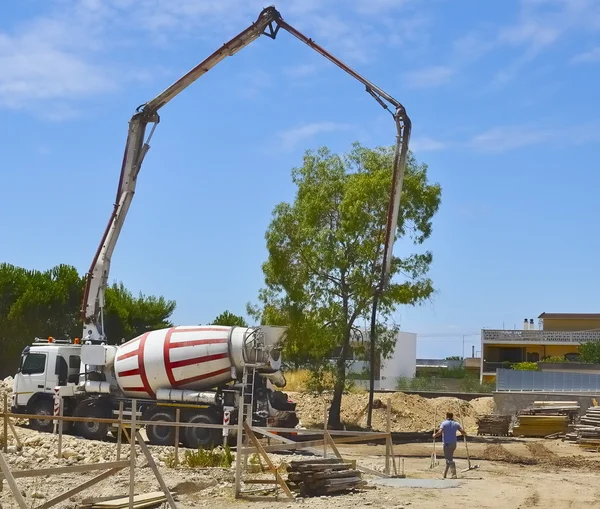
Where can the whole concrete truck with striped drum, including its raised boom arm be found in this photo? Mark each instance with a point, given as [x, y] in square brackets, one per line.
[196, 369]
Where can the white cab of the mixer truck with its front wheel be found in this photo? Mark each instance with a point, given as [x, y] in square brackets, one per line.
[44, 365]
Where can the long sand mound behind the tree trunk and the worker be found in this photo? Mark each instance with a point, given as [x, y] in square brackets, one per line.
[410, 412]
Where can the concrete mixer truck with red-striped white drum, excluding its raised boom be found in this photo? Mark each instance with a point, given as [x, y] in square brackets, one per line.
[196, 369]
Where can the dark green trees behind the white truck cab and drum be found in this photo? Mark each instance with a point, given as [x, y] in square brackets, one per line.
[47, 303]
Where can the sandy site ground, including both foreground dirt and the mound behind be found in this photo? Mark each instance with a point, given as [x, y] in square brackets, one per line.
[513, 472]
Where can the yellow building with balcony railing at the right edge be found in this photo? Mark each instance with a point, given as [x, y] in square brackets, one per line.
[557, 335]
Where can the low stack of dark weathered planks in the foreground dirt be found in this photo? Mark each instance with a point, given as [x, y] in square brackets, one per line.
[317, 477]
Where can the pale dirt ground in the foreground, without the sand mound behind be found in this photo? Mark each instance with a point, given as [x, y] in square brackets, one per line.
[512, 473]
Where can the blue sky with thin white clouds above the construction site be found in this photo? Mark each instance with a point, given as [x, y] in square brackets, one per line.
[501, 96]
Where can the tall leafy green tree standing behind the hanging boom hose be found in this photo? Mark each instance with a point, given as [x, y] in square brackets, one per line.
[325, 251]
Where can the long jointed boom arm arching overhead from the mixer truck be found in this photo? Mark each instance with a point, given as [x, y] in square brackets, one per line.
[268, 23]
